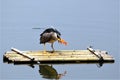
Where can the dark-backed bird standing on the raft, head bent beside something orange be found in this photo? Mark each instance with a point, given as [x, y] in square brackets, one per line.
[50, 35]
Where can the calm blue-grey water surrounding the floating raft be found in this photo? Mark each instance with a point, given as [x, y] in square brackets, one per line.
[81, 22]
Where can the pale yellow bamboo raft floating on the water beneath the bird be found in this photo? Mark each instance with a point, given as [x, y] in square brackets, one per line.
[62, 56]
